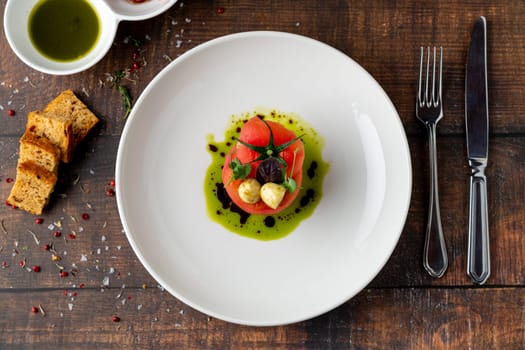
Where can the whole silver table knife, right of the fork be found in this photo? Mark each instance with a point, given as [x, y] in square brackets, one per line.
[477, 127]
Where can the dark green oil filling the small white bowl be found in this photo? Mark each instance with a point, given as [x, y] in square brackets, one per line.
[63, 30]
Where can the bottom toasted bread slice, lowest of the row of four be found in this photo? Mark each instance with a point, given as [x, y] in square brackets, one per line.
[32, 188]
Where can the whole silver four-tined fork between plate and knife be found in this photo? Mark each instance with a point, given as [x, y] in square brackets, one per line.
[429, 110]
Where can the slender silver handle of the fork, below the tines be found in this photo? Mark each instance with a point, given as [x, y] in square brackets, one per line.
[435, 258]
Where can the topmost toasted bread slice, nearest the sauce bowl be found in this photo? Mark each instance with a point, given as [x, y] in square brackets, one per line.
[67, 106]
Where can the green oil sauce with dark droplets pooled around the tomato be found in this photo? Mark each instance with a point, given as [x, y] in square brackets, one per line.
[264, 227]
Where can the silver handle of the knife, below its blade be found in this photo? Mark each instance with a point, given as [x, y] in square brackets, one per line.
[478, 258]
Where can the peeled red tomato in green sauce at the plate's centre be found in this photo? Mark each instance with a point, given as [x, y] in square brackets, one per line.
[256, 133]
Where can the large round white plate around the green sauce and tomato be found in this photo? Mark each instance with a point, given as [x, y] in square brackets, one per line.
[162, 162]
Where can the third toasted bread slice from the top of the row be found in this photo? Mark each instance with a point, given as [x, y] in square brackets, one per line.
[39, 150]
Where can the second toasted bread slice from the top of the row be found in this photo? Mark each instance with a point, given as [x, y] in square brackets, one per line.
[58, 131]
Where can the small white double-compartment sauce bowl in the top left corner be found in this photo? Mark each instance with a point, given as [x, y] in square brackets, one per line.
[16, 17]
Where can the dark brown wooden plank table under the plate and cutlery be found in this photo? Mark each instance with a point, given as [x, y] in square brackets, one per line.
[401, 308]
